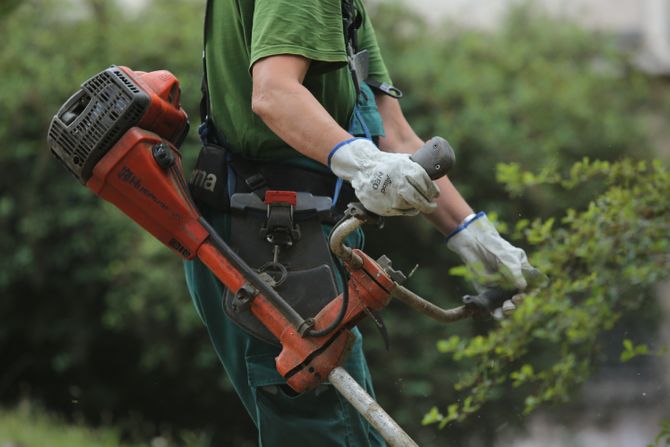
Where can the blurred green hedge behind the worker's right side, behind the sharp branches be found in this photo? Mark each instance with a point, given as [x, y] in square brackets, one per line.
[538, 94]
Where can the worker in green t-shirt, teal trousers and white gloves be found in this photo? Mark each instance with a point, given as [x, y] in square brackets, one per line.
[280, 91]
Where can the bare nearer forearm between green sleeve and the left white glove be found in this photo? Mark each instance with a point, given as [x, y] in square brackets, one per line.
[290, 110]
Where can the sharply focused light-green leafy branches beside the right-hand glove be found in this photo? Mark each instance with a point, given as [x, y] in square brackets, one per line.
[602, 262]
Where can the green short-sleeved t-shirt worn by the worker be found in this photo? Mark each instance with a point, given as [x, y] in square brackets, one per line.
[240, 32]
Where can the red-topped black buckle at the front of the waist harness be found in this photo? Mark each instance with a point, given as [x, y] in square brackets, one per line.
[279, 228]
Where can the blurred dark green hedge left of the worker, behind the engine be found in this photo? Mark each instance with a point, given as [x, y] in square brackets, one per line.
[91, 303]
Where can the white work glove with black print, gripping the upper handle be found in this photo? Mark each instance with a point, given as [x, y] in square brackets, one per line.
[388, 184]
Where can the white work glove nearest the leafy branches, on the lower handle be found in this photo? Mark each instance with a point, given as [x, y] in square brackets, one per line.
[495, 263]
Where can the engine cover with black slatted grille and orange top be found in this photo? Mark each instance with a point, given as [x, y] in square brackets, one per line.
[106, 106]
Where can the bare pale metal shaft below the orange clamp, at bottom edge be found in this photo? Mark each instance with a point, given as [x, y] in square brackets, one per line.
[370, 409]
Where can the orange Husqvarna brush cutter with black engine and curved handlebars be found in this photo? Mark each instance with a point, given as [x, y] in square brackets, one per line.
[118, 135]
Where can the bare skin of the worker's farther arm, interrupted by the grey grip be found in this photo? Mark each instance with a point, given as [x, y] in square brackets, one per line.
[400, 137]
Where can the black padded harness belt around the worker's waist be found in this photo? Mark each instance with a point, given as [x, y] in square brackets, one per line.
[211, 185]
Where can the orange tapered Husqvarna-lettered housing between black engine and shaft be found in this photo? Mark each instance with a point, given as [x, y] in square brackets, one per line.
[156, 198]
